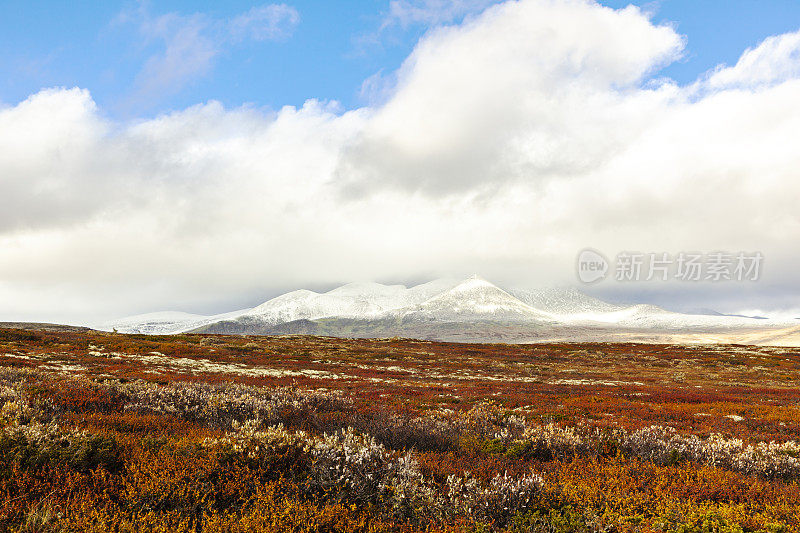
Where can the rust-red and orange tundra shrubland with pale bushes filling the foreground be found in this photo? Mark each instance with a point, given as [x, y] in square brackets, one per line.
[111, 432]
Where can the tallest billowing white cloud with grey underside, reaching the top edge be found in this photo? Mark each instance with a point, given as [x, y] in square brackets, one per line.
[513, 94]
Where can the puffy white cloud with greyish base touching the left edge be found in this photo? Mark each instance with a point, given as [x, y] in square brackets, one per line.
[47, 177]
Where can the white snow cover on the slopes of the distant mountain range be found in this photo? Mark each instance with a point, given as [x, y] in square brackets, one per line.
[445, 300]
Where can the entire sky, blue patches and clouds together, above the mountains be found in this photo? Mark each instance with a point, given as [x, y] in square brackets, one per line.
[205, 156]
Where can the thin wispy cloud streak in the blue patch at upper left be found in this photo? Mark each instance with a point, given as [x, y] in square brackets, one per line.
[188, 45]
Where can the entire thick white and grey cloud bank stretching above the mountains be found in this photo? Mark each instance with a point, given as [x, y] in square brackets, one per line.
[505, 145]
